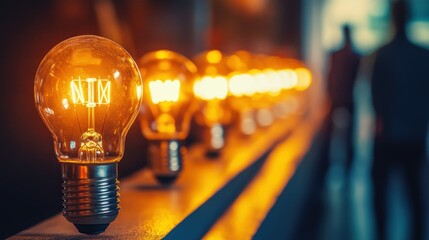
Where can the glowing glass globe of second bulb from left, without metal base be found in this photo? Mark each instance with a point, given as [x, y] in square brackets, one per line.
[168, 103]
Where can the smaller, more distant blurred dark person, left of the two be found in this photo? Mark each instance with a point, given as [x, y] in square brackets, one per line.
[343, 69]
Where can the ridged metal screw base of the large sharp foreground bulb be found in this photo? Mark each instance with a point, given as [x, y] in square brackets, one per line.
[90, 195]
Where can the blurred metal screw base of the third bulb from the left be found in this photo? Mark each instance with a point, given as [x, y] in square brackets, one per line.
[214, 140]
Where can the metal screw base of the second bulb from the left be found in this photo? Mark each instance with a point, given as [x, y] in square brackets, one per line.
[166, 160]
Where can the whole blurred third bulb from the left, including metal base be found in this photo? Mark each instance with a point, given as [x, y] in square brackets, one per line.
[212, 91]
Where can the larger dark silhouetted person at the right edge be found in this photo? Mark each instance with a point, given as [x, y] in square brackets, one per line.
[400, 95]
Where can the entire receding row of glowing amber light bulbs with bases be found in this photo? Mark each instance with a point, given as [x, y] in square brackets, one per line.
[89, 90]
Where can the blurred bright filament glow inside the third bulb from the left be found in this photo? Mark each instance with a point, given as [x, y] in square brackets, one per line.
[209, 88]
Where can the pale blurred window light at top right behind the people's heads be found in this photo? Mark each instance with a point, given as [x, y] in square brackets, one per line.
[371, 23]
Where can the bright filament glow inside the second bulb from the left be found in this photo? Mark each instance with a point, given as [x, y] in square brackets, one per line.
[164, 91]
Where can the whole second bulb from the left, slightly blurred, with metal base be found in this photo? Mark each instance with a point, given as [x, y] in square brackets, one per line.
[168, 105]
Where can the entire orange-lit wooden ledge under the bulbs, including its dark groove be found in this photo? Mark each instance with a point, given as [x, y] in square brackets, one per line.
[193, 207]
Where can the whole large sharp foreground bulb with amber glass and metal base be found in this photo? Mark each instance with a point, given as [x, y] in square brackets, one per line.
[87, 90]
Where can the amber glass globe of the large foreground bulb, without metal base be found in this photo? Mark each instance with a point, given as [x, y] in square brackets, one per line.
[87, 92]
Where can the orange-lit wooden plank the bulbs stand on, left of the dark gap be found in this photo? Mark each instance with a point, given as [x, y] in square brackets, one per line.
[151, 211]
